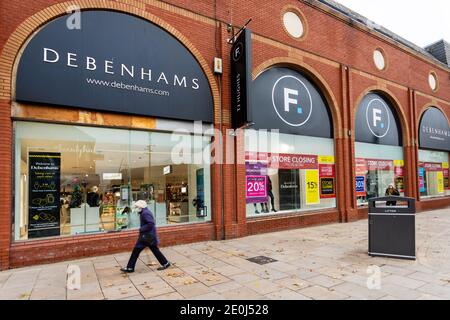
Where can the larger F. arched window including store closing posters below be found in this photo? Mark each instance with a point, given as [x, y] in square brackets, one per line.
[293, 170]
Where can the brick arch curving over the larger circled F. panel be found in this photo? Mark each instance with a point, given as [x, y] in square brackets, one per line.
[318, 80]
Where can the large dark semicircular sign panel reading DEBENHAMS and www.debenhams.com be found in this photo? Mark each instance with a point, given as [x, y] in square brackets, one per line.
[114, 62]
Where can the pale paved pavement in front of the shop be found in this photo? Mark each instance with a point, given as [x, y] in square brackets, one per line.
[326, 262]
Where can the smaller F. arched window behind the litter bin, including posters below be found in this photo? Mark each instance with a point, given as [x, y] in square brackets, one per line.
[378, 148]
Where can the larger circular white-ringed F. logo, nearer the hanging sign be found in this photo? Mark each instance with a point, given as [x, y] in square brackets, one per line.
[292, 101]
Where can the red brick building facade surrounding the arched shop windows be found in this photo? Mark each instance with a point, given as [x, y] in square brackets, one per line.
[335, 53]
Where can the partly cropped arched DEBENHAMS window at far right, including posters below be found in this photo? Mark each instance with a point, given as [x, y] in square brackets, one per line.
[434, 144]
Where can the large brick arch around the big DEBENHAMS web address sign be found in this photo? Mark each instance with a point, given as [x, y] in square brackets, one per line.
[15, 44]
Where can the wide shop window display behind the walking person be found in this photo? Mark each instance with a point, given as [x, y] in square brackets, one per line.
[73, 180]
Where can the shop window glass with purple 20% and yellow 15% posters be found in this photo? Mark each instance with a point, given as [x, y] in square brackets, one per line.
[296, 175]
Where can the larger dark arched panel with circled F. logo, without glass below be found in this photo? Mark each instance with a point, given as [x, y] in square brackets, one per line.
[286, 100]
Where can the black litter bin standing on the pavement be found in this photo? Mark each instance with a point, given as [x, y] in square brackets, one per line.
[392, 227]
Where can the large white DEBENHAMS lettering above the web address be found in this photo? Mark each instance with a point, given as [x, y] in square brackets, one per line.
[109, 67]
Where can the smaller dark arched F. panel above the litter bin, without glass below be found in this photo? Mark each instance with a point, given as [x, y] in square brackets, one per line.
[376, 122]
